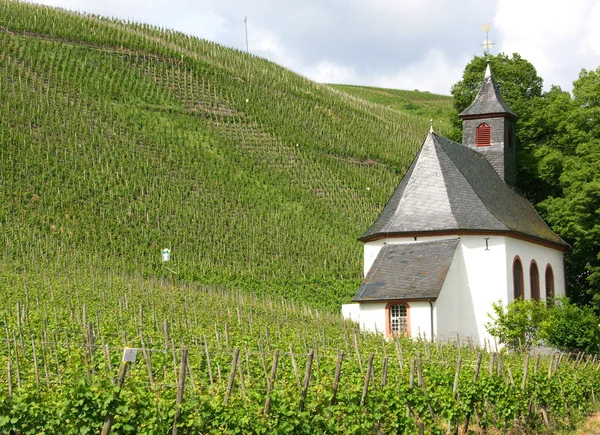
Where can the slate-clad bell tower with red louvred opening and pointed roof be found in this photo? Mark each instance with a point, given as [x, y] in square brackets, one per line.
[489, 127]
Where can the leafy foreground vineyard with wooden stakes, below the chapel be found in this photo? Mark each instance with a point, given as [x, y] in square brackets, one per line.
[212, 360]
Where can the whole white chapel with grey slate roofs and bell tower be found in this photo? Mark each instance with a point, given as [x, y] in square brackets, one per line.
[456, 236]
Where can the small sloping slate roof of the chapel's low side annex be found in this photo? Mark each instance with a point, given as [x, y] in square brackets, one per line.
[408, 271]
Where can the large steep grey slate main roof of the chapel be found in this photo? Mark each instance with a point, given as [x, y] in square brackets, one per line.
[452, 187]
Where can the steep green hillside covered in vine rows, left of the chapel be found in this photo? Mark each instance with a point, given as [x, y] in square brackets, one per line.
[120, 139]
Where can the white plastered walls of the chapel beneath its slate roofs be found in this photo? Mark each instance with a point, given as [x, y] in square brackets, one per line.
[479, 275]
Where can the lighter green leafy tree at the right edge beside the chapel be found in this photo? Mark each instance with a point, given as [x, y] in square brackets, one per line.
[574, 213]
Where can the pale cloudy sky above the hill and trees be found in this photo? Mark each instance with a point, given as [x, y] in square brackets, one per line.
[402, 44]
